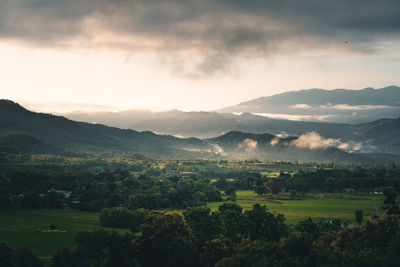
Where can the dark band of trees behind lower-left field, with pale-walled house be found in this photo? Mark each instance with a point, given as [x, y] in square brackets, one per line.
[93, 192]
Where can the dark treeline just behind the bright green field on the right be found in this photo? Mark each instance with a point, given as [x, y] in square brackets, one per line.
[322, 180]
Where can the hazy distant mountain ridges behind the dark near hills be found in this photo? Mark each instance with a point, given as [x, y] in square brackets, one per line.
[375, 136]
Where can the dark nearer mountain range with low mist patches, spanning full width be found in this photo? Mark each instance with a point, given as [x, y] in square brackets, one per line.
[28, 132]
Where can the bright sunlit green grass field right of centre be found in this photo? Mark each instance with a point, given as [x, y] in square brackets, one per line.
[296, 210]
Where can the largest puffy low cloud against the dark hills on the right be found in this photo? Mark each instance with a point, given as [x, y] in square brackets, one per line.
[313, 140]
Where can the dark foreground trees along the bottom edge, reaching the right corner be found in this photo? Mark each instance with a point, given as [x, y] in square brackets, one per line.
[232, 237]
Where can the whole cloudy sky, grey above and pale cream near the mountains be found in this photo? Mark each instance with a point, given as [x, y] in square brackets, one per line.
[193, 54]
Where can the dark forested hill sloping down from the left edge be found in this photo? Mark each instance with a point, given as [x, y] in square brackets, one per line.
[68, 135]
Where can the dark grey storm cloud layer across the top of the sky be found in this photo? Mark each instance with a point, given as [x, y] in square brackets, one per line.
[215, 29]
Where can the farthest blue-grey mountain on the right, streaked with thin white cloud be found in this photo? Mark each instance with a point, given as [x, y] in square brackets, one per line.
[340, 105]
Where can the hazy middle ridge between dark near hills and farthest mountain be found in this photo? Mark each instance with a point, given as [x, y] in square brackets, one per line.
[377, 136]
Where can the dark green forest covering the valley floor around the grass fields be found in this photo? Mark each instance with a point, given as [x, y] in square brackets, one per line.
[161, 208]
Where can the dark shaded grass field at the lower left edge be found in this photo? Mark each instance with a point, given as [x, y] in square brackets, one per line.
[17, 229]
